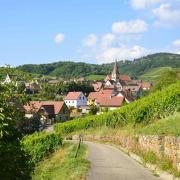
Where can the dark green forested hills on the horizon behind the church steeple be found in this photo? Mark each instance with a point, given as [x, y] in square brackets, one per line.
[134, 68]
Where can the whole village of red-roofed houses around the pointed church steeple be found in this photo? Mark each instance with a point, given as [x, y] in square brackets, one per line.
[111, 93]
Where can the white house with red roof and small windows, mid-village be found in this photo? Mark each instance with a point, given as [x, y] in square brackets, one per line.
[75, 99]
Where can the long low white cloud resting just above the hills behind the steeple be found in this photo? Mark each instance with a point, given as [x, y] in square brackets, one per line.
[121, 53]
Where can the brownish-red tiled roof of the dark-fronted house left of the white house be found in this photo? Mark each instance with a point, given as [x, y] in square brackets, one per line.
[34, 106]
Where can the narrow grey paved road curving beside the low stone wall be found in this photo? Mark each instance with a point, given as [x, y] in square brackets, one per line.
[109, 163]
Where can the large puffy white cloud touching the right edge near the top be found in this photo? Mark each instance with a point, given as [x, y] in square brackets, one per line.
[167, 15]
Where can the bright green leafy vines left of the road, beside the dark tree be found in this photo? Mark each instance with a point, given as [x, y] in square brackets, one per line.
[39, 145]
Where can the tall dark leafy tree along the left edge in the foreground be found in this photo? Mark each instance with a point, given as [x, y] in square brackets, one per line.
[13, 160]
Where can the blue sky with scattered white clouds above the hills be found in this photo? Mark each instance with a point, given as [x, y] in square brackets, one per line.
[92, 31]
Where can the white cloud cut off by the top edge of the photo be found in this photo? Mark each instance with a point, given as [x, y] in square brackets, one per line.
[143, 4]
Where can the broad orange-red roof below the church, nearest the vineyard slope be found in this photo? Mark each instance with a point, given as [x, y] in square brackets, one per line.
[114, 101]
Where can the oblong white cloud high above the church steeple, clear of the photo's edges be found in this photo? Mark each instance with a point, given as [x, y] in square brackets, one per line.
[130, 27]
